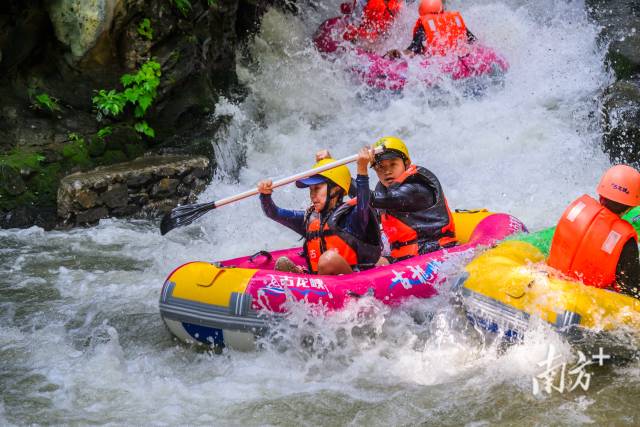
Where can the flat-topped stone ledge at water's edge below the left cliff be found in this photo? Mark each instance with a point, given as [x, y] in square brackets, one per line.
[146, 186]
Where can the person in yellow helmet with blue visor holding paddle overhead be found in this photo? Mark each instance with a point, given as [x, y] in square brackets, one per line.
[339, 237]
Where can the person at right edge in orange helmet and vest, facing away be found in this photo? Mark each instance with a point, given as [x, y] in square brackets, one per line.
[593, 244]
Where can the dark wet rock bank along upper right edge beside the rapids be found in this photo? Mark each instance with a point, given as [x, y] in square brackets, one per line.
[620, 21]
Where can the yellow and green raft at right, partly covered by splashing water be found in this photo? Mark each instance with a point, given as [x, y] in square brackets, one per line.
[505, 286]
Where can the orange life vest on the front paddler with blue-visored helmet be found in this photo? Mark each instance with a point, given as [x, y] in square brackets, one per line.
[323, 234]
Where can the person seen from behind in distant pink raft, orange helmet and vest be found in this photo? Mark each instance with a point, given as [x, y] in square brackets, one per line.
[436, 33]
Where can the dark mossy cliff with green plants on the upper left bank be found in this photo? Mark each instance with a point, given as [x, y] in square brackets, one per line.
[56, 55]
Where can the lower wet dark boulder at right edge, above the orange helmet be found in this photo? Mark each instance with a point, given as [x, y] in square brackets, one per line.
[622, 121]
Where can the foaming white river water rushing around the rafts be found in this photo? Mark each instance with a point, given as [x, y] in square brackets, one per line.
[81, 340]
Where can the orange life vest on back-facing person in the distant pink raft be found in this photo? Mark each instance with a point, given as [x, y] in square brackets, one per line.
[444, 32]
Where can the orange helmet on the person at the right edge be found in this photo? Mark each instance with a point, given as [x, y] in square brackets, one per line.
[621, 183]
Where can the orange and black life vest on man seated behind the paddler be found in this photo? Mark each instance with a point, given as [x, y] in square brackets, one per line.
[420, 232]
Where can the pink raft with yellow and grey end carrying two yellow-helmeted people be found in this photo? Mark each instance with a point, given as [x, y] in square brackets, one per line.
[230, 303]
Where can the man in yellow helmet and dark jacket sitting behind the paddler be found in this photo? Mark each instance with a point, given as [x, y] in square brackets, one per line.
[413, 210]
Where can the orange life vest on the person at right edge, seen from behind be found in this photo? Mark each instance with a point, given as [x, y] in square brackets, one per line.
[588, 242]
